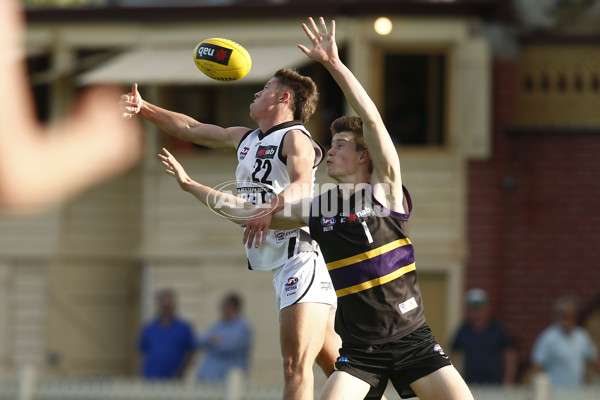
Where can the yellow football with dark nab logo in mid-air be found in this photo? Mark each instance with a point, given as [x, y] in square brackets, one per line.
[222, 59]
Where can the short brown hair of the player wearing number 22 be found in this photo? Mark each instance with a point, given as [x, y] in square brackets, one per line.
[305, 95]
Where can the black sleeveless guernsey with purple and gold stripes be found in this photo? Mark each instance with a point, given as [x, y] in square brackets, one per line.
[372, 266]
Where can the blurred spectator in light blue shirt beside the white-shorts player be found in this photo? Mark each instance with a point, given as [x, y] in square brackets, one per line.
[227, 343]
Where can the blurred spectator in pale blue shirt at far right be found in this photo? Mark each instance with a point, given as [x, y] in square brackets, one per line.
[564, 350]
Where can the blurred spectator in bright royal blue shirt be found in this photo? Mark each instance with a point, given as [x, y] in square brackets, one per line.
[166, 344]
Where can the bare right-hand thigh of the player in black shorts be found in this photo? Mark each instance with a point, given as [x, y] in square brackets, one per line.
[445, 383]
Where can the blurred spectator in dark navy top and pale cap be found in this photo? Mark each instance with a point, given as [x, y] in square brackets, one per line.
[489, 356]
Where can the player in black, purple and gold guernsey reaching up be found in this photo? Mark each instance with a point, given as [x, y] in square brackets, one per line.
[361, 227]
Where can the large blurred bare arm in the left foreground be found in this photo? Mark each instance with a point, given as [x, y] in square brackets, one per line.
[40, 166]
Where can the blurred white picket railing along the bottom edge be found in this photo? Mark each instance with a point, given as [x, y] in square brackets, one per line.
[29, 388]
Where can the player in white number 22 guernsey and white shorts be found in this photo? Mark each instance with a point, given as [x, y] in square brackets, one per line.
[280, 108]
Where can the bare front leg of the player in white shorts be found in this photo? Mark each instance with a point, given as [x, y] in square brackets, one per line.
[302, 333]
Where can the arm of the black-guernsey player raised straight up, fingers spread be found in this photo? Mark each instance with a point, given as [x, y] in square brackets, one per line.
[381, 148]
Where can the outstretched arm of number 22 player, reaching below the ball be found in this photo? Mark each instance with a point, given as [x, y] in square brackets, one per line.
[180, 125]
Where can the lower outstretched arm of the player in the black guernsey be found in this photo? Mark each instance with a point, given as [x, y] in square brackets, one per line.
[228, 205]
